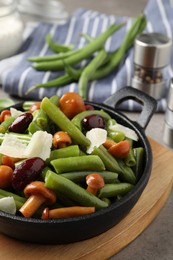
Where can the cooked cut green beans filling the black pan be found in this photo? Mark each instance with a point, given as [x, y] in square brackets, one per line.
[67, 168]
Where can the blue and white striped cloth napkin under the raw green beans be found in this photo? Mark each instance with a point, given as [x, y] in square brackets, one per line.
[23, 76]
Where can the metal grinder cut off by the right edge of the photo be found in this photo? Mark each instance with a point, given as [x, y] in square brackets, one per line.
[168, 126]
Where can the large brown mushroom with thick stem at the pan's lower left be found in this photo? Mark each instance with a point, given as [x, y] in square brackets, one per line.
[37, 194]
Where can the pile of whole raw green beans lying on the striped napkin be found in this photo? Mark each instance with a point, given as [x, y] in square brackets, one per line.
[100, 65]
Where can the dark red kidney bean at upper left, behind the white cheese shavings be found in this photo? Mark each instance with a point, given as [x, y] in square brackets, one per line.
[21, 123]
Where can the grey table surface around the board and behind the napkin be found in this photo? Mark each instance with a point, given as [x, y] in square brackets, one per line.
[156, 242]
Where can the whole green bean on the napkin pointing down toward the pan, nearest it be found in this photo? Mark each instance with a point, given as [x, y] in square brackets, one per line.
[89, 71]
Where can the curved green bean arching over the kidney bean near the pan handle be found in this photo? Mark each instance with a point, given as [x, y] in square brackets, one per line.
[77, 120]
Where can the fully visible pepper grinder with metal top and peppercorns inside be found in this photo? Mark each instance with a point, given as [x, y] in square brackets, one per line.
[151, 56]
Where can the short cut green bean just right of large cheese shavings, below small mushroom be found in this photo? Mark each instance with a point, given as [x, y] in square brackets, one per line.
[69, 151]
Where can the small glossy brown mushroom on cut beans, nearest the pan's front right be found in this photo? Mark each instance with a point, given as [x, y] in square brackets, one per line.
[95, 182]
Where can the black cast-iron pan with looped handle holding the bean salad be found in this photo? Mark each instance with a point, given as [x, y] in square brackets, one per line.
[84, 227]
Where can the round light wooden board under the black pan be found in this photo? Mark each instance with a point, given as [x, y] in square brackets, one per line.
[112, 241]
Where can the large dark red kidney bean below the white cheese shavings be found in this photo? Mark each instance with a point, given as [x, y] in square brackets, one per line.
[27, 172]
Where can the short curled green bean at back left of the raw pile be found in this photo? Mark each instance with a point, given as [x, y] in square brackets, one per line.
[57, 47]
